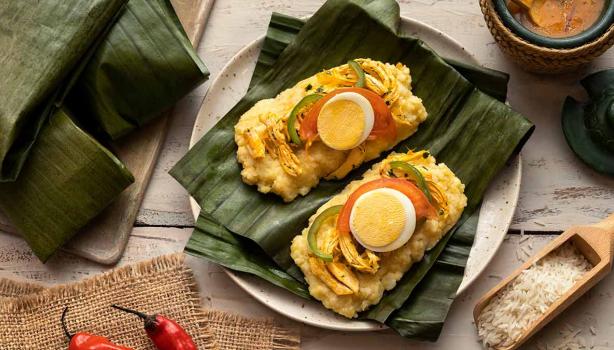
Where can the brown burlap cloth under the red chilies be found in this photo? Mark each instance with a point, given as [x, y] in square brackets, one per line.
[30, 314]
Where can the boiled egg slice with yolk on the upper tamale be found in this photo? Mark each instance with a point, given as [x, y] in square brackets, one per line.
[345, 121]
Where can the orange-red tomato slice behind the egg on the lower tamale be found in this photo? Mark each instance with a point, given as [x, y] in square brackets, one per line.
[424, 209]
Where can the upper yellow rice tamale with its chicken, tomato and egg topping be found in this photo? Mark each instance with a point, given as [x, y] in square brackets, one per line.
[285, 165]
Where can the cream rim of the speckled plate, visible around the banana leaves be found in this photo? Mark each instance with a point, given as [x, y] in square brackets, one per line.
[240, 280]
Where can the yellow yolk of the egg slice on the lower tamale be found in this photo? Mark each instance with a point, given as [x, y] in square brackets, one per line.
[379, 218]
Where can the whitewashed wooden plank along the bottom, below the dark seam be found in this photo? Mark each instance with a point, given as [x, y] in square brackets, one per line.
[219, 292]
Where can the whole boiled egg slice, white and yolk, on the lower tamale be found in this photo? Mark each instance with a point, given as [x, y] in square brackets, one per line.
[383, 220]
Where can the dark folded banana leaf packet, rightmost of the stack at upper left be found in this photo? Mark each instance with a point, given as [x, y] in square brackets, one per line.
[143, 67]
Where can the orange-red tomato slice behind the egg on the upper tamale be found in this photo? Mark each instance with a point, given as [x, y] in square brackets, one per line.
[383, 126]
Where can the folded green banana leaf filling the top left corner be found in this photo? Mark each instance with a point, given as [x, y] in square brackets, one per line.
[42, 43]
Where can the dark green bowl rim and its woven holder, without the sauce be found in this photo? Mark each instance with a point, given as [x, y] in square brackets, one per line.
[540, 54]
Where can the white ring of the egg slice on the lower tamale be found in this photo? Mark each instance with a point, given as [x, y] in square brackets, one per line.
[408, 229]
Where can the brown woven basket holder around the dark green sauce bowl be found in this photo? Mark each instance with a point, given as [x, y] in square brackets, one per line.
[540, 59]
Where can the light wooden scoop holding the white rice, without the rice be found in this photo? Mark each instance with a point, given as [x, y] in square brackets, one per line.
[595, 242]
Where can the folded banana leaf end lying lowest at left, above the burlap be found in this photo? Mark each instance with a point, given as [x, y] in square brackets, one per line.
[68, 179]
